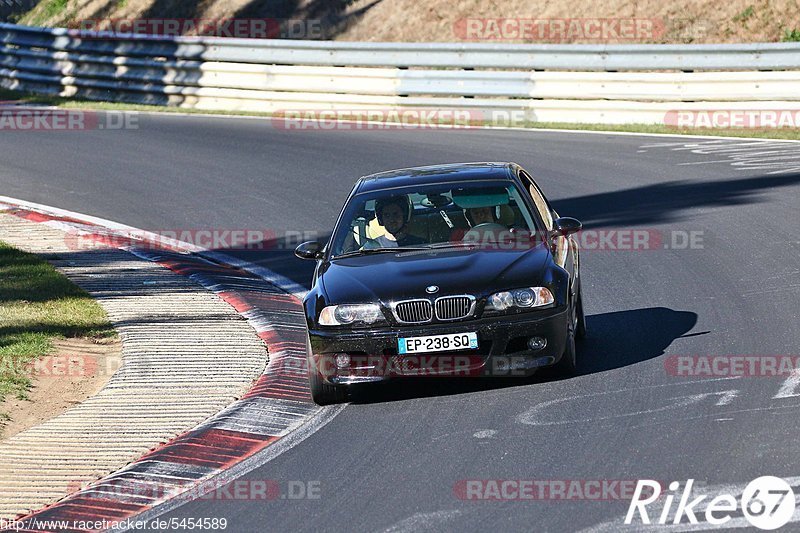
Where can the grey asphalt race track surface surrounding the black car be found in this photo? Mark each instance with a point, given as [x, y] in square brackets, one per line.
[396, 458]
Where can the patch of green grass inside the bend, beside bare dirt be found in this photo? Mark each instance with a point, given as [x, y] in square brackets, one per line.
[38, 305]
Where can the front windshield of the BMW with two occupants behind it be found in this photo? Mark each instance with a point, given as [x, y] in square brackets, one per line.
[458, 215]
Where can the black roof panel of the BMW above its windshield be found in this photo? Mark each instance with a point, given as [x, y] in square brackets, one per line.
[435, 174]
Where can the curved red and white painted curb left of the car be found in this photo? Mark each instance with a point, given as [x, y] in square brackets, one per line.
[239, 438]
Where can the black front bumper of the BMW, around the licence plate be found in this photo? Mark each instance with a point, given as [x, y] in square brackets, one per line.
[502, 349]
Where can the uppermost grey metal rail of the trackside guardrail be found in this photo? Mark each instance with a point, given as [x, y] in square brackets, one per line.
[765, 56]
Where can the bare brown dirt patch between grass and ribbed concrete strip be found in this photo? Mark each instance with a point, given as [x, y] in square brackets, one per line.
[77, 370]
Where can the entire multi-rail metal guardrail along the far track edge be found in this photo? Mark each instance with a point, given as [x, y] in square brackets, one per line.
[274, 75]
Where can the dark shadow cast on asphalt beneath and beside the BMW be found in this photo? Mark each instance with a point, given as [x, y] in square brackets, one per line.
[615, 340]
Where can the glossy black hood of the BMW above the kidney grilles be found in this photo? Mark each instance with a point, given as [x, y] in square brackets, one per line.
[393, 276]
